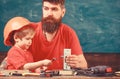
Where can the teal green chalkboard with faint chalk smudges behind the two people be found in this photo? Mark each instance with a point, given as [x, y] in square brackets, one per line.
[96, 22]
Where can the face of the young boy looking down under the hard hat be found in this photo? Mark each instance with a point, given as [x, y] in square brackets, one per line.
[25, 42]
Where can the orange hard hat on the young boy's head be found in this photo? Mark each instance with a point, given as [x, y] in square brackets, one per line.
[15, 24]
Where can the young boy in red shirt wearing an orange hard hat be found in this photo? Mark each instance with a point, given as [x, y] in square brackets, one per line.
[18, 33]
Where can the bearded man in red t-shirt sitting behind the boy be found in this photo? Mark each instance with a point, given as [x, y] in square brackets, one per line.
[52, 37]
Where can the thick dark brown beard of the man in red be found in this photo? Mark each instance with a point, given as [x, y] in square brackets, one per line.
[50, 24]
